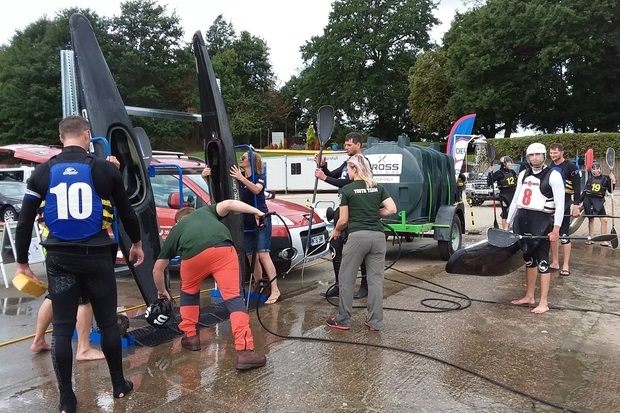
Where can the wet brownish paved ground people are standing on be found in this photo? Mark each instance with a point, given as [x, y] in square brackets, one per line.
[451, 343]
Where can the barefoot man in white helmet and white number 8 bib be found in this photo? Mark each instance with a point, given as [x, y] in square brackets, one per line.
[537, 209]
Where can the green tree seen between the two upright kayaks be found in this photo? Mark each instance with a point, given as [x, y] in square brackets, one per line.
[153, 68]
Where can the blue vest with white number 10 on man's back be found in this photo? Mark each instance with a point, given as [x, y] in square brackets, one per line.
[73, 210]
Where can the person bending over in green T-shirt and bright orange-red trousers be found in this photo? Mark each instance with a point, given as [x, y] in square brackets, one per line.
[206, 248]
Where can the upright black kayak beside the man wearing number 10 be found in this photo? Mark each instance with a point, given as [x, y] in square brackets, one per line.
[105, 109]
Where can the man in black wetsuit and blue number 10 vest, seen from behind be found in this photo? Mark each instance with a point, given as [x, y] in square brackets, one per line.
[78, 190]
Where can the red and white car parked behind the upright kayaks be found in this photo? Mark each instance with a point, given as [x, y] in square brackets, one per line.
[290, 218]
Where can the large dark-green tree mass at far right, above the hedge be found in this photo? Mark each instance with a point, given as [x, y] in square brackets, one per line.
[544, 64]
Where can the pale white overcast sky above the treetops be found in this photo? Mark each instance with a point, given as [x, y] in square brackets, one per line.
[267, 19]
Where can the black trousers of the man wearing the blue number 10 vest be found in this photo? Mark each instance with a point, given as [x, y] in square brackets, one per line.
[73, 272]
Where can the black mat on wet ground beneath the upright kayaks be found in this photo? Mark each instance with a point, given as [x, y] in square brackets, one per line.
[150, 336]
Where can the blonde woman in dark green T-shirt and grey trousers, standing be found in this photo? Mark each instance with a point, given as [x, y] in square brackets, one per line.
[362, 205]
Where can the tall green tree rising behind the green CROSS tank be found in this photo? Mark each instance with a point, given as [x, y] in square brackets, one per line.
[361, 62]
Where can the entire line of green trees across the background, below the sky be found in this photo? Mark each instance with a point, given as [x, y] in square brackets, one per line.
[538, 64]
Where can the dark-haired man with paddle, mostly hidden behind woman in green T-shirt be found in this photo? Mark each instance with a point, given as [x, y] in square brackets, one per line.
[339, 177]
